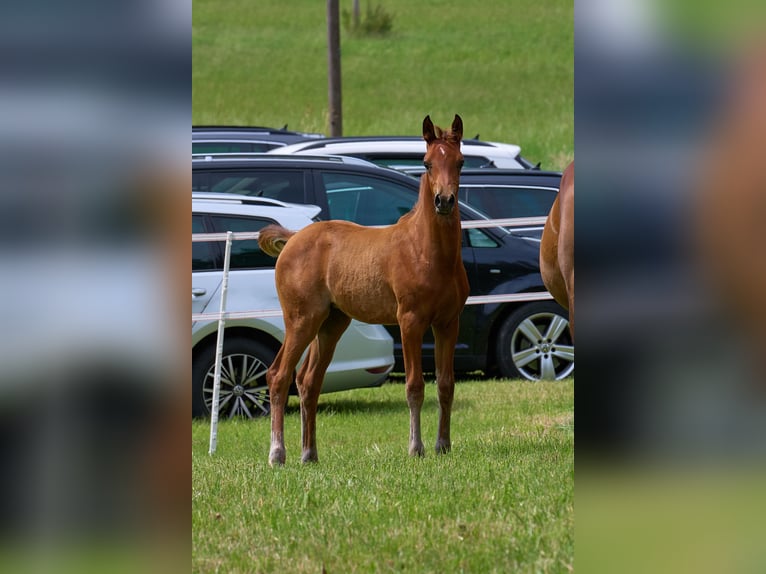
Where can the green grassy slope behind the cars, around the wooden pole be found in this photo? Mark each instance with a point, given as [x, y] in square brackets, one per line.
[506, 68]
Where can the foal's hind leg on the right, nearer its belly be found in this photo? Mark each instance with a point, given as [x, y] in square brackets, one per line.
[311, 377]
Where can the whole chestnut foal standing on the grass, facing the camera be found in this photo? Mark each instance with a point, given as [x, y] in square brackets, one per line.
[410, 273]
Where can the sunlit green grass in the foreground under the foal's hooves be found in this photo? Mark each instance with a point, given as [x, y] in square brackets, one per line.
[501, 501]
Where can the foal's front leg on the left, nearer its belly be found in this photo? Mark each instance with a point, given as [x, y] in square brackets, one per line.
[412, 340]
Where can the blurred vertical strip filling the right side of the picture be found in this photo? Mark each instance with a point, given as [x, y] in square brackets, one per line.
[670, 103]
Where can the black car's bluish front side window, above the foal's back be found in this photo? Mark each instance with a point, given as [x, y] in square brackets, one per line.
[366, 200]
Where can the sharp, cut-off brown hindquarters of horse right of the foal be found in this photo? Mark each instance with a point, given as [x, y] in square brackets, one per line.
[557, 246]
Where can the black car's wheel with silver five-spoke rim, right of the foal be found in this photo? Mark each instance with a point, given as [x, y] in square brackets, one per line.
[534, 343]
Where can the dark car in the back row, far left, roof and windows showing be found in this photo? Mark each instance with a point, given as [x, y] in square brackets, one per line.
[244, 139]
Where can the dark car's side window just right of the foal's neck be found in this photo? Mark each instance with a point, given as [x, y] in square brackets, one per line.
[505, 201]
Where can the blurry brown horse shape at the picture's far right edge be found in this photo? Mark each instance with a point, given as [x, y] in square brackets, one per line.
[728, 206]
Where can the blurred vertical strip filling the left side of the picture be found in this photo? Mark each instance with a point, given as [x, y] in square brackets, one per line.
[94, 147]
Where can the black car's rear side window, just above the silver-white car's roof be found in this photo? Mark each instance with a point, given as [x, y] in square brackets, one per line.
[284, 185]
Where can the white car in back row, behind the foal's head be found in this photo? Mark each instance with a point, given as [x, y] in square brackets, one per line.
[407, 152]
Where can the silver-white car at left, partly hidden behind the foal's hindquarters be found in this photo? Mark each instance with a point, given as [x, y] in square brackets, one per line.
[364, 355]
